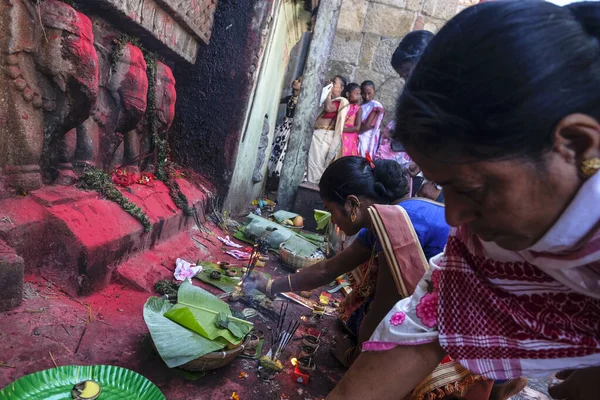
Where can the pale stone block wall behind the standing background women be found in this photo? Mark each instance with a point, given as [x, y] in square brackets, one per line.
[369, 31]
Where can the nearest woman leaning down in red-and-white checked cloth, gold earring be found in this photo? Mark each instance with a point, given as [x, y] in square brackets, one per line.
[517, 290]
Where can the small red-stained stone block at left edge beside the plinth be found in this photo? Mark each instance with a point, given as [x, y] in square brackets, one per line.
[11, 278]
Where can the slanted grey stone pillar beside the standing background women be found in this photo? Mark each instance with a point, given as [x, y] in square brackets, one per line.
[294, 164]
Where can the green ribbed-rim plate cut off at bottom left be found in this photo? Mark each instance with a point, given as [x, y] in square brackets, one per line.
[56, 384]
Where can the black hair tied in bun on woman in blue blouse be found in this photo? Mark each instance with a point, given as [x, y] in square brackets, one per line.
[353, 175]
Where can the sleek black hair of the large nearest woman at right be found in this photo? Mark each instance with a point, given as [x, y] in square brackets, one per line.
[498, 77]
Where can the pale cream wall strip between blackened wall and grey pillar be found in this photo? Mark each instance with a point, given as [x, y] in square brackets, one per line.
[286, 28]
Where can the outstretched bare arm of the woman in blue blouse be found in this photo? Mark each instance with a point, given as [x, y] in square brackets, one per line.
[324, 272]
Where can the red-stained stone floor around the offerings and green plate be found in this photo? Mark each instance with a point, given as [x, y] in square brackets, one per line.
[53, 328]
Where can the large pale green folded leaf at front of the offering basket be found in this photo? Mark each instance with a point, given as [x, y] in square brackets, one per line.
[175, 344]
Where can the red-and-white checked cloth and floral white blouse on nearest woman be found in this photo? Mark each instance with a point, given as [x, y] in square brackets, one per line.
[504, 314]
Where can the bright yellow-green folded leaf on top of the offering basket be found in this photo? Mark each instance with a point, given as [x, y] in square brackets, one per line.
[197, 310]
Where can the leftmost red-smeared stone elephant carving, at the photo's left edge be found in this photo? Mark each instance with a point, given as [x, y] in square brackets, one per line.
[49, 86]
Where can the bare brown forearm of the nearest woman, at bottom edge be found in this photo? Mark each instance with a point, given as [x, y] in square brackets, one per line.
[390, 374]
